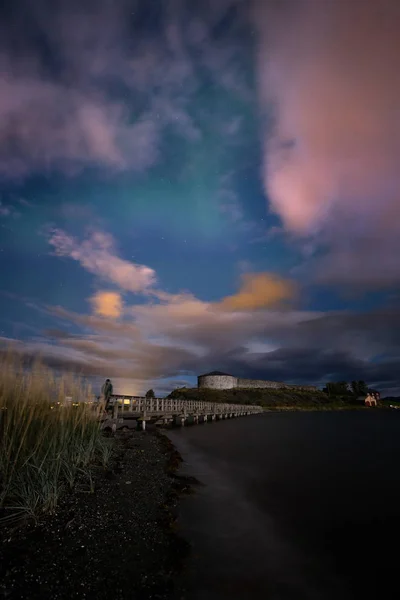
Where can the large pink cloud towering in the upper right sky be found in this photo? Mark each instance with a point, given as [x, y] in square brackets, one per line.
[329, 73]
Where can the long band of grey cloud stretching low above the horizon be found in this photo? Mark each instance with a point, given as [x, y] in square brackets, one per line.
[191, 337]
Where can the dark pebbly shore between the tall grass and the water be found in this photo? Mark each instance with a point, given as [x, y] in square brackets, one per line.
[116, 540]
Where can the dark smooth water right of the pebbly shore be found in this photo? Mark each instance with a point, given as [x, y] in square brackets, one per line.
[294, 506]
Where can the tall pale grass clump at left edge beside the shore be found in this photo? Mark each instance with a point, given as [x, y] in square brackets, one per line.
[46, 444]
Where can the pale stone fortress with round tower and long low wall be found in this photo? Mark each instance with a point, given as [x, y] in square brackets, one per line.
[223, 381]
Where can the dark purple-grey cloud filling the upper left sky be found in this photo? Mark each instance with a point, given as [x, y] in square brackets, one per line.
[95, 83]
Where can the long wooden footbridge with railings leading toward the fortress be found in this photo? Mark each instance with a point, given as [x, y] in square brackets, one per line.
[128, 411]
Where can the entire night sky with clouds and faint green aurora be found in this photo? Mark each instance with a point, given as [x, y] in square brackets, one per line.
[191, 185]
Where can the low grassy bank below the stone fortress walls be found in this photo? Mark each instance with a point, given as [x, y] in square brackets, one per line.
[270, 399]
